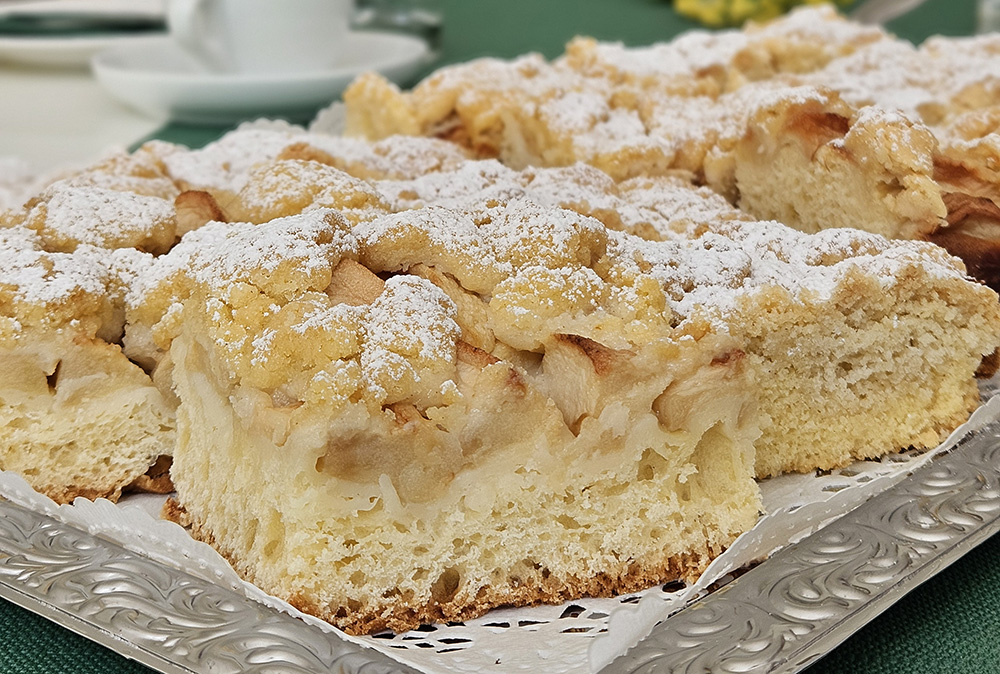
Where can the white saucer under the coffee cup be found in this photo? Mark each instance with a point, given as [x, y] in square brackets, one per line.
[158, 78]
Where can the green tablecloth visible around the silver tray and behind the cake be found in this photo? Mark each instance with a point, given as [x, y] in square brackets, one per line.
[949, 624]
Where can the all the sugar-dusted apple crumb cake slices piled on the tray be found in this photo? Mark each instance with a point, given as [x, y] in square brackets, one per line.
[540, 345]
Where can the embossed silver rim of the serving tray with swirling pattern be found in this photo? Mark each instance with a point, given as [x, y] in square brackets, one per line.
[779, 617]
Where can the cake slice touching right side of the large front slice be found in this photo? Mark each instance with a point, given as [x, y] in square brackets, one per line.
[858, 346]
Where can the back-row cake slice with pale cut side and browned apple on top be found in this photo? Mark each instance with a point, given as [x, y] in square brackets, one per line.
[816, 163]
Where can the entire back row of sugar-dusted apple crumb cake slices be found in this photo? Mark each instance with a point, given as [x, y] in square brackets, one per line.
[810, 119]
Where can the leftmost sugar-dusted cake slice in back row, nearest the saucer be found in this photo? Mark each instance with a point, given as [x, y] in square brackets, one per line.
[626, 110]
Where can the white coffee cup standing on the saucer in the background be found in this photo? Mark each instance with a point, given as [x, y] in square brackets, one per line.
[261, 36]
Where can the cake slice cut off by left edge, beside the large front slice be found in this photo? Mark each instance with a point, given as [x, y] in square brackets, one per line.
[77, 418]
